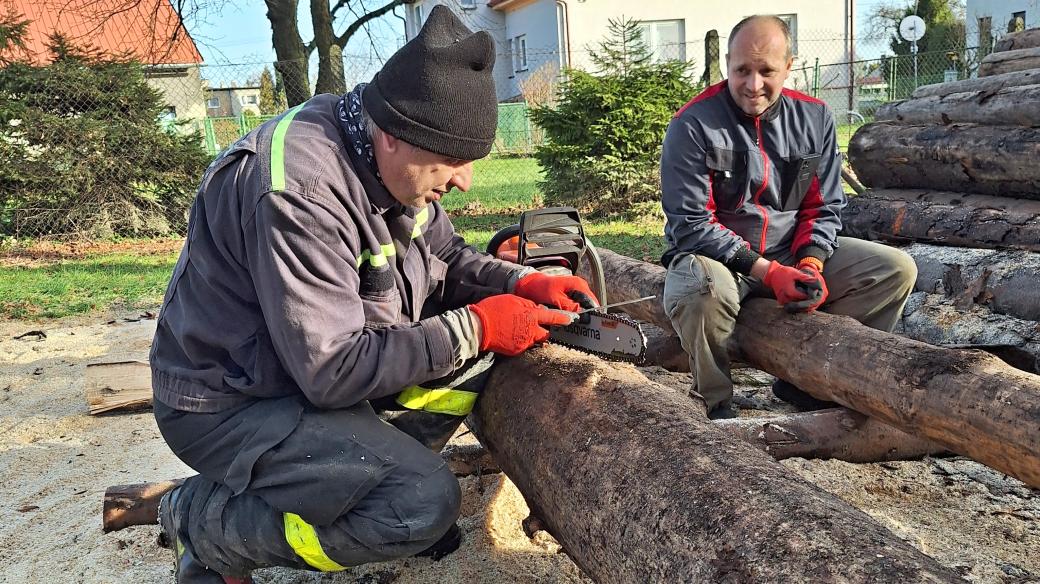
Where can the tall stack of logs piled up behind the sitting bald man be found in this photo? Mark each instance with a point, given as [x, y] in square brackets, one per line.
[954, 171]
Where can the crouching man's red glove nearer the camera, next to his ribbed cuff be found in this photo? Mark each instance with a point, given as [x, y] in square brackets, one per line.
[513, 325]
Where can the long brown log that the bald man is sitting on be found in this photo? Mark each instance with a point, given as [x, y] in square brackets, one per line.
[969, 402]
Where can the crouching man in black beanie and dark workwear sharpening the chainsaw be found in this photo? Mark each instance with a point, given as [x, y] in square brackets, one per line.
[321, 277]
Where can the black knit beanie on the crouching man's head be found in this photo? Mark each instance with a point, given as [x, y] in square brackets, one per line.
[437, 92]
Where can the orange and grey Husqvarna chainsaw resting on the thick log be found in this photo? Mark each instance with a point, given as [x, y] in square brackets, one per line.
[554, 242]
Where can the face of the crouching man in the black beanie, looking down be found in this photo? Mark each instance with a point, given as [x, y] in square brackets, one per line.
[417, 177]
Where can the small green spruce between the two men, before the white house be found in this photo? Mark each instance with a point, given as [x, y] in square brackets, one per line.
[606, 132]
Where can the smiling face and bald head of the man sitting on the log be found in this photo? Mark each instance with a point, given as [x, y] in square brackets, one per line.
[758, 67]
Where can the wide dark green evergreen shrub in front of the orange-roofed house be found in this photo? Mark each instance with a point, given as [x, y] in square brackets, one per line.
[83, 150]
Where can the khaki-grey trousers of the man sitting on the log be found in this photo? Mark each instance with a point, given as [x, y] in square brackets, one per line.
[867, 281]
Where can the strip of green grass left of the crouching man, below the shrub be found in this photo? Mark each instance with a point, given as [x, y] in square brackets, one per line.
[79, 286]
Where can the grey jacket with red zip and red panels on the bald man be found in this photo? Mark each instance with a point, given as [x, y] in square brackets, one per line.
[737, 188]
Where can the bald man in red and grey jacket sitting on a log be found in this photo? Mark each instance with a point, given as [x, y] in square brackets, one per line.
[752, 194]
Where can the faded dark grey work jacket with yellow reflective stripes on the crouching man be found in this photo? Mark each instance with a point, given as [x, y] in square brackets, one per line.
[302, 274]
